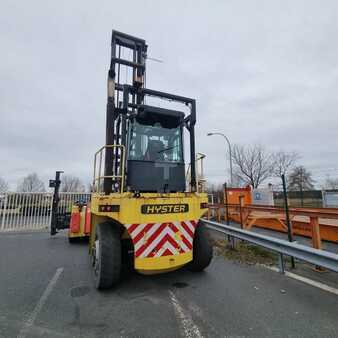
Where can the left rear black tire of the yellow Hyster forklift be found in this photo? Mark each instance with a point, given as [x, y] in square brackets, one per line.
[107, 261]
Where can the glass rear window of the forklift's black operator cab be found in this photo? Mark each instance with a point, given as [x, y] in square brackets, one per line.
[155, 143]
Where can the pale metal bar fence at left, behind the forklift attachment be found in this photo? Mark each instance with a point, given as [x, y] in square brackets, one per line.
[32, 211]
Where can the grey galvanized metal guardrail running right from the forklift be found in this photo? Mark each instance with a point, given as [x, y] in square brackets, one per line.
[318, 257]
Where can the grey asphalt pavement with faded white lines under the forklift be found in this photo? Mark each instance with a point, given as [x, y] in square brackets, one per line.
[46, 290]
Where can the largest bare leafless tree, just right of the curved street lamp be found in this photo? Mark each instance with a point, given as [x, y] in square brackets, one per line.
[252, 164]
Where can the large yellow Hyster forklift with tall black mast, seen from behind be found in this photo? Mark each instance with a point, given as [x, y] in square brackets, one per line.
[141, 205]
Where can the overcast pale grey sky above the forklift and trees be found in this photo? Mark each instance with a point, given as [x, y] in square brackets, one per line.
[262, 72]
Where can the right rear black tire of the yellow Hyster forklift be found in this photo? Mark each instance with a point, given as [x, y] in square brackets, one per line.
[202, 250]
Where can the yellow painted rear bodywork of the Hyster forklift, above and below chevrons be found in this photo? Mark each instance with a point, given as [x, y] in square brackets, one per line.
[130, 213]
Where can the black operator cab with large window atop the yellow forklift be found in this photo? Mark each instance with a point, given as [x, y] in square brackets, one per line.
[155, 161]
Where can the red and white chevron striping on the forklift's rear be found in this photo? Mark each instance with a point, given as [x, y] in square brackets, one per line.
[162, 239]
